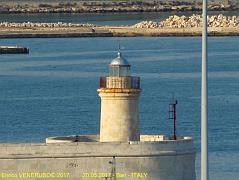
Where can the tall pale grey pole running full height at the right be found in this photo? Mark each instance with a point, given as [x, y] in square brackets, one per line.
[204, 135]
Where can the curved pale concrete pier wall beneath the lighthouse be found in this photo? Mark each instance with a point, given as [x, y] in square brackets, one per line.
[152, 160]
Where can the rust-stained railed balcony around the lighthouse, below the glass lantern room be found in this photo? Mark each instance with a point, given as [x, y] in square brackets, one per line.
[127, 82]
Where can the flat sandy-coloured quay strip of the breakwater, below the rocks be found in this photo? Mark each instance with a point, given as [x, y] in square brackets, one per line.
[114, 31]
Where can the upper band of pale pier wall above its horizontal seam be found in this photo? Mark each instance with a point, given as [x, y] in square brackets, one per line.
[96, 149]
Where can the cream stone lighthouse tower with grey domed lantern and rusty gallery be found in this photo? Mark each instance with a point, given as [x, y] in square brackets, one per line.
[119, 94]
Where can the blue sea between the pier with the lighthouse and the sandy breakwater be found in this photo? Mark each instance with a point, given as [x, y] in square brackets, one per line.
[52, 91]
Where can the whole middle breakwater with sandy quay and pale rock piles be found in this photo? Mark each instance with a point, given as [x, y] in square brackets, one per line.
[172, 26]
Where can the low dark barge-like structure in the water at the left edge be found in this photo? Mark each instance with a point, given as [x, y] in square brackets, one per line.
[13, 50]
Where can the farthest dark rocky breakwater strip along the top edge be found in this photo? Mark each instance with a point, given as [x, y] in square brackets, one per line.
[111, 6]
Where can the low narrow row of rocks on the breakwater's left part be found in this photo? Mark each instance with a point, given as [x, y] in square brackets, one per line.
[44, 25]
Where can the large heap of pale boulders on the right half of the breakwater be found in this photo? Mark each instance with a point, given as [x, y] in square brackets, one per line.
[191, 21]
